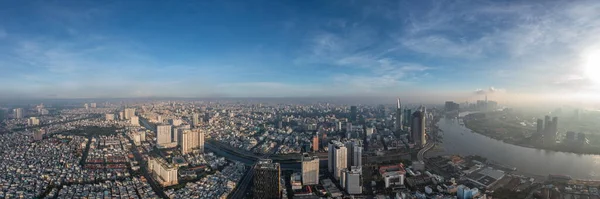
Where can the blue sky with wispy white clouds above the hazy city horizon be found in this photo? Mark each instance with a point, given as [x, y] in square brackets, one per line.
[431, 49]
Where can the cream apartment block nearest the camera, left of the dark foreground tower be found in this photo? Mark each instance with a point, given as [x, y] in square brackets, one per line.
[163, 172]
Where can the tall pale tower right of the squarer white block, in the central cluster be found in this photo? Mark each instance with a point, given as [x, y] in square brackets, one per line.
[337, 158]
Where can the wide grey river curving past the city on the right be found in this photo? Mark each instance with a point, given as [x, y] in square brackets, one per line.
[458, 139]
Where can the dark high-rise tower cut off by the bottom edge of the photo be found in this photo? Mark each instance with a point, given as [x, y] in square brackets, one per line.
[267, 177]
